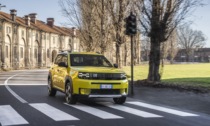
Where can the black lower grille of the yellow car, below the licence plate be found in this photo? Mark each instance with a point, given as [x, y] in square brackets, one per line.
[105, 91]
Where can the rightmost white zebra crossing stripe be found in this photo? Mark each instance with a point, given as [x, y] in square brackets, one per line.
[163, 109]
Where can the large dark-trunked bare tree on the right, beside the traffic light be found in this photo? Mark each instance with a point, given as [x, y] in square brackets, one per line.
[159, 19]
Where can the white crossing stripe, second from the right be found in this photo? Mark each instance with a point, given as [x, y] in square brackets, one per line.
[130, 110]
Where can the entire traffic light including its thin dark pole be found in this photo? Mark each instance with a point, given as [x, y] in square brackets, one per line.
[131, 30]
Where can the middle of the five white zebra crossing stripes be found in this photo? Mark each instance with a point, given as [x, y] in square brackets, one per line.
[96, 112]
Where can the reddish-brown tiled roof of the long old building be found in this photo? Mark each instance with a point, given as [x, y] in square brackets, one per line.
[40, 25]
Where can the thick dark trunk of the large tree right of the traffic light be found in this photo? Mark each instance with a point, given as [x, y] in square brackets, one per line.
[154, 61]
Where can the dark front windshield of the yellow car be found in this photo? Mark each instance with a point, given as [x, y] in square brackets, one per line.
[89, 60]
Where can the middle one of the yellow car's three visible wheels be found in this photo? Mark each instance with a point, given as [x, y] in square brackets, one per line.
[70, 98]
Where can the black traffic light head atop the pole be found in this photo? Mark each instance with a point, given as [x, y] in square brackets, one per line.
[131, 26]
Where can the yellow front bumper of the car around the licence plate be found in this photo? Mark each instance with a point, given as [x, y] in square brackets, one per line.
[92, 88]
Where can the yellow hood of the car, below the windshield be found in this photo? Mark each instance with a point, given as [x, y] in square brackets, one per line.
[98, 69]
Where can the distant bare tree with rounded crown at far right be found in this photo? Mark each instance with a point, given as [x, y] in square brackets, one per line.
[190, 39]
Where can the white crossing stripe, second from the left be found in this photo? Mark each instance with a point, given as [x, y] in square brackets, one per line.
[53, 112]
